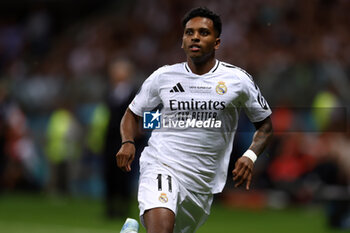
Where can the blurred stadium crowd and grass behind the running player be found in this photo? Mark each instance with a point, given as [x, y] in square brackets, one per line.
[68, 68]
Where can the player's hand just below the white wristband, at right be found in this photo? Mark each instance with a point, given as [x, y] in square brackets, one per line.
[243, 171]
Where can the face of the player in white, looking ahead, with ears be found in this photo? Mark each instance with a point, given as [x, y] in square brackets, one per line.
[199, 40]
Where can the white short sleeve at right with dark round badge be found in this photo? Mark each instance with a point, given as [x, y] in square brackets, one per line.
[254, 104]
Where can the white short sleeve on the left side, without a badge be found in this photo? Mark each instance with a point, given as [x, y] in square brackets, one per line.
[148, 96]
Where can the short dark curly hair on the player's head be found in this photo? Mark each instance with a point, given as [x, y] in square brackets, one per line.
[206, 13]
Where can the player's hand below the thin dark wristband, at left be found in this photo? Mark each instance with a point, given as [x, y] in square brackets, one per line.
[125, 156]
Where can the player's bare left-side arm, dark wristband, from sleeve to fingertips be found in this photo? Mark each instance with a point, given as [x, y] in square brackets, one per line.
[128, 130]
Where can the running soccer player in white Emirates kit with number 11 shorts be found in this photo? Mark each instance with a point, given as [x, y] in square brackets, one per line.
[181, 169]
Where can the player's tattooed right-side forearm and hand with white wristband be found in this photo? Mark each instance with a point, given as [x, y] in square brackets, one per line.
[244, 166]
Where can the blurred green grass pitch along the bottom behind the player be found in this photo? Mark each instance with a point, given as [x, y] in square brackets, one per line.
[42, 214]
